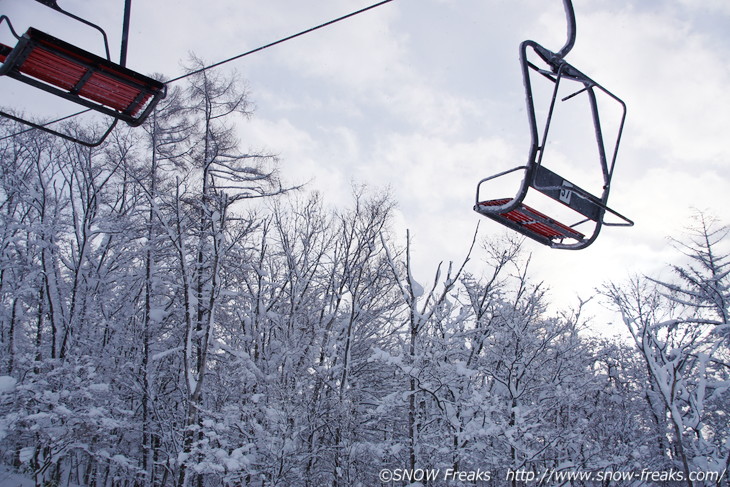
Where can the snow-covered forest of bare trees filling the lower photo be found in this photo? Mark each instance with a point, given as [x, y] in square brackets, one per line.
[172, 313]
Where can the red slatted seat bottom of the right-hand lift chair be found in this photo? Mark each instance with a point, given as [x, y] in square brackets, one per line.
[529, 222]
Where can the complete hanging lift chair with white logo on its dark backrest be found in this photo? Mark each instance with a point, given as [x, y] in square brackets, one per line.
[591, 210]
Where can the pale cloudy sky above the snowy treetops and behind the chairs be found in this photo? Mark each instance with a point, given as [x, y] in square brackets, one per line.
[426, 96]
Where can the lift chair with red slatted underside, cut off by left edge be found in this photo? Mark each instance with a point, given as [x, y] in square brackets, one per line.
[55, 66]
